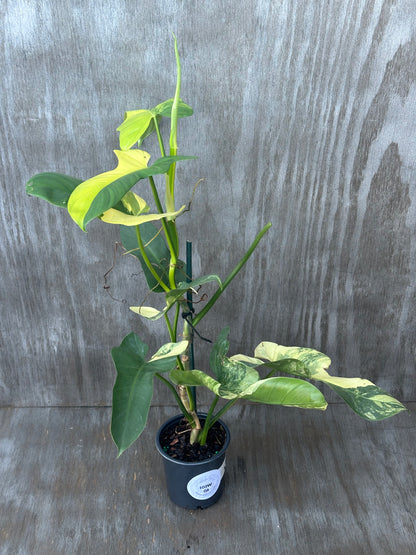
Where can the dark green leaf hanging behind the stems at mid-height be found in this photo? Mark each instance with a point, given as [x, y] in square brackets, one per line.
[157, 253]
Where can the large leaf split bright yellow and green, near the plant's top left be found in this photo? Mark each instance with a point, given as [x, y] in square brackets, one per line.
[102, 192]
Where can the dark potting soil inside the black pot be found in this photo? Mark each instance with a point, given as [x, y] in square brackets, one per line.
[175, 442]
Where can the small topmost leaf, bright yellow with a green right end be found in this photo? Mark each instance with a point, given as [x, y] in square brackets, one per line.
[138, 124]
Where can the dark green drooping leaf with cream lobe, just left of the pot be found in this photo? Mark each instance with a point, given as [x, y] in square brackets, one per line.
[133, 390]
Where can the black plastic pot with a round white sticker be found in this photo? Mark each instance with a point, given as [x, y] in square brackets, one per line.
[194, 485]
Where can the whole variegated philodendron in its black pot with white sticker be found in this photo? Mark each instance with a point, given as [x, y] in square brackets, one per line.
[275, 375]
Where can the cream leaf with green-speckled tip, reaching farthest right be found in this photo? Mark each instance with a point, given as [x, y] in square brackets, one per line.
[365, 398]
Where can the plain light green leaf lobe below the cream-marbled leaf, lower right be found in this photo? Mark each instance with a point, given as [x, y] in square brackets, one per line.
[289, 392]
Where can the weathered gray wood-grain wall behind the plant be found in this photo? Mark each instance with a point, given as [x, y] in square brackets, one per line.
[304, 116]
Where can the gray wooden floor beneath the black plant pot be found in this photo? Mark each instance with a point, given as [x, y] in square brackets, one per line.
[297, 482]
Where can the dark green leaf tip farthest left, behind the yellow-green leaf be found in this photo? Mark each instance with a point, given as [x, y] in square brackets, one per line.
[55, 188]
